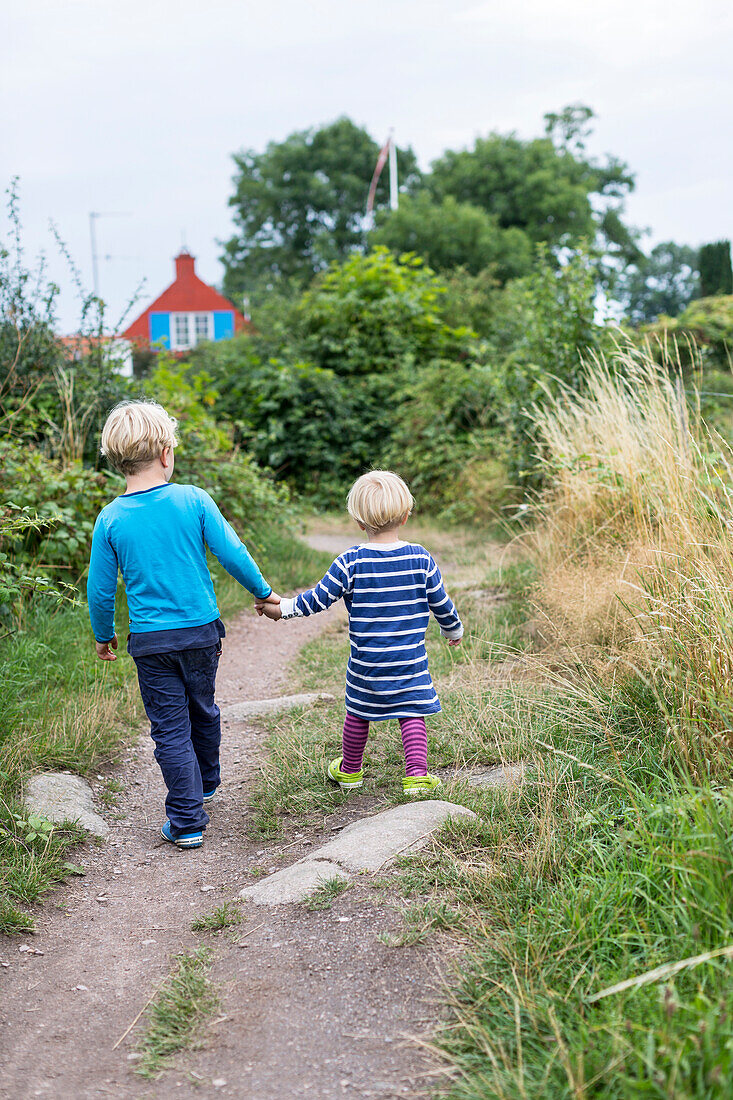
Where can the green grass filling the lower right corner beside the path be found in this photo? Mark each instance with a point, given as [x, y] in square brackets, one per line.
[596, 870]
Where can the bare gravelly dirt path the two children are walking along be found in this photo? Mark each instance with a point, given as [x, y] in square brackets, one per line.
[313, 1004]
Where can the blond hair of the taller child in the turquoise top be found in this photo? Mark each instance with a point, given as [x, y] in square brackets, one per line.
[136, 434]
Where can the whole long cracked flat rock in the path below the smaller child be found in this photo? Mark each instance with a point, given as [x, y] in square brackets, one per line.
[368, 845]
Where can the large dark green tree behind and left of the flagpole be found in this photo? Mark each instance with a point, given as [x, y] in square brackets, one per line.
[300, 205]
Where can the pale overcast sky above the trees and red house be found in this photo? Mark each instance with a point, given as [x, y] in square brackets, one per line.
[136, 108]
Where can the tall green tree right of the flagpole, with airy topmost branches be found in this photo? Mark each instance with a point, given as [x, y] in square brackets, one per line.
[549, 188]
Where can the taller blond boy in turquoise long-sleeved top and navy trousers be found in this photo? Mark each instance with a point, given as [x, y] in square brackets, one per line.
[157, 535]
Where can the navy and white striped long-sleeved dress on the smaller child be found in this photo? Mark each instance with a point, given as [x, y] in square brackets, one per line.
[390, 591]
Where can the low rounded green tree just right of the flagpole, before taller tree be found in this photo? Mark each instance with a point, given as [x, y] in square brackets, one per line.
[451, 235]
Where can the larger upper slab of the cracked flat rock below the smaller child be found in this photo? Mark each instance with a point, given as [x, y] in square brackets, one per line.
[374, 843]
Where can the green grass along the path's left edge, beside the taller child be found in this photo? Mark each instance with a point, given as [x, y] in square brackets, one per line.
[60, 709]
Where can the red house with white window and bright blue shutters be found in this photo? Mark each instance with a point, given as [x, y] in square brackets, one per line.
[188, 313]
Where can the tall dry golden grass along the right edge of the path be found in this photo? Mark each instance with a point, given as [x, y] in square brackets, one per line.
[639, 521]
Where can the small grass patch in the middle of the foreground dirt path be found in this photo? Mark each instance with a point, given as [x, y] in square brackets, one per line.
[178, 1014]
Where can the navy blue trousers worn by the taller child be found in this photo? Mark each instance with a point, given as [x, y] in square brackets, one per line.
[178, 692]
